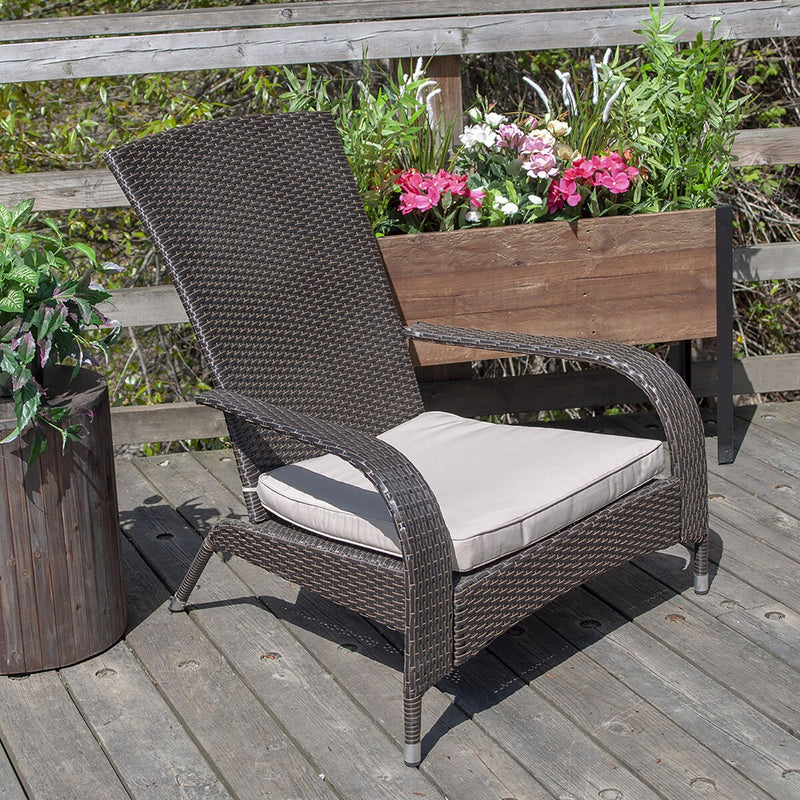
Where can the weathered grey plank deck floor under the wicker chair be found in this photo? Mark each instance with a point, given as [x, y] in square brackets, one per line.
[631, 688]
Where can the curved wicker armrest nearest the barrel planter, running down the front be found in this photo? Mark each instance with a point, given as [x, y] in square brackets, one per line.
[424, 538]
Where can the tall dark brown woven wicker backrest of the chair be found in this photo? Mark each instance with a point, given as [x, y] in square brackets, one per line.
[263, 232]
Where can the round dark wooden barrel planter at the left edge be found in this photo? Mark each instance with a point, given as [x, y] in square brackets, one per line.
[61, 592]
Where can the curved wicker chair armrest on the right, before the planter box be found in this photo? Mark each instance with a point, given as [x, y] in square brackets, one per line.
[671, 398]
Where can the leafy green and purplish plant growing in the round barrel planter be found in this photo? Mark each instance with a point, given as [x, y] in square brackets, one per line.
[47, 304]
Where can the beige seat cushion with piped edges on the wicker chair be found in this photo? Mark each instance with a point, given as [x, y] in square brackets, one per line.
[500, 487]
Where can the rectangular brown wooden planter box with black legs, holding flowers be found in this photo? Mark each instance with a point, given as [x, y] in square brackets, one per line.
[640, 279]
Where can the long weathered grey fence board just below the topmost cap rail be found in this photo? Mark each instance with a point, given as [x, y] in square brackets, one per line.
[290, 43]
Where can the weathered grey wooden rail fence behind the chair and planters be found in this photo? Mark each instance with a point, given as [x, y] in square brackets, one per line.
[349, 30]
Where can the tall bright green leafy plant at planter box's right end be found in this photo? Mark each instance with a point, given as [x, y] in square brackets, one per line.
[683, 110]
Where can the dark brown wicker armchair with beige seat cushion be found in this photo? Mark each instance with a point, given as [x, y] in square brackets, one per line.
[261, 227]
